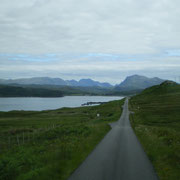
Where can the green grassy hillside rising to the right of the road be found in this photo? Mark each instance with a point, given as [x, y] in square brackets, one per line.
[156, 121]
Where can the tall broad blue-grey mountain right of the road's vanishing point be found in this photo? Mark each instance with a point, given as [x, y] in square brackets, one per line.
[137, 82]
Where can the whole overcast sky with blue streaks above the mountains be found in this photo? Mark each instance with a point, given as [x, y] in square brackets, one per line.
[105, 40]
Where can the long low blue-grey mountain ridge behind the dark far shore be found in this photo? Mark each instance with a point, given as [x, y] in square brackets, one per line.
[55, 81]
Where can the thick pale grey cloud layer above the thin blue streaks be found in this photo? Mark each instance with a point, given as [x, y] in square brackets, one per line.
[121, 26]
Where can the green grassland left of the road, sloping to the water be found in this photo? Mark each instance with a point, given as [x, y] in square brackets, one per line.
[51, 144]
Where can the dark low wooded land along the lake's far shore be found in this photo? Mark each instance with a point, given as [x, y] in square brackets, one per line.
[15, 90]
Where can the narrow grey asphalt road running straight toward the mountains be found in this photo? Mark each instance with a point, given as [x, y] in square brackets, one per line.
[119, 156]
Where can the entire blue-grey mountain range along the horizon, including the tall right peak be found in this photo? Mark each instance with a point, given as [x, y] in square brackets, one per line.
[131, 85]
